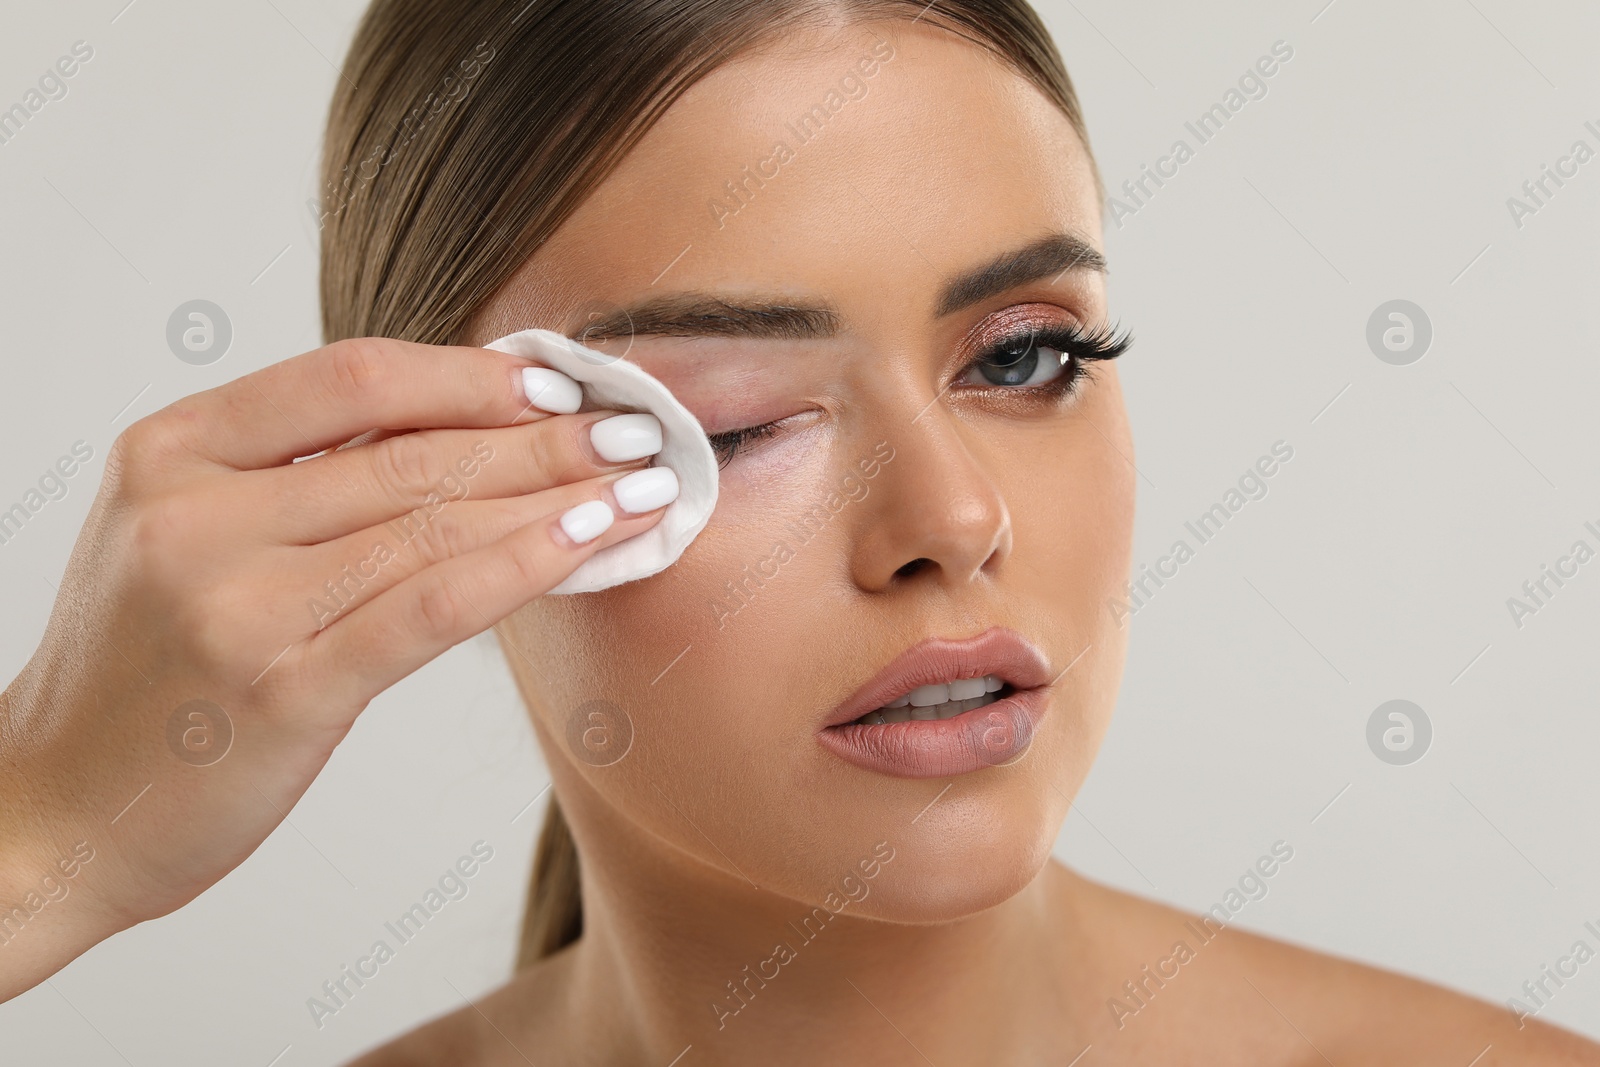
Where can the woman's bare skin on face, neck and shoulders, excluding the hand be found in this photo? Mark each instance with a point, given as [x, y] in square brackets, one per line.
[727, 821]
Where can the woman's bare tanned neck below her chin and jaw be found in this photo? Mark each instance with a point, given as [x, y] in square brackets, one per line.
[678, 954]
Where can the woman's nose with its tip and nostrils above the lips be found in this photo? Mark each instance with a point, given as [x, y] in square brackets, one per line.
[935, 513]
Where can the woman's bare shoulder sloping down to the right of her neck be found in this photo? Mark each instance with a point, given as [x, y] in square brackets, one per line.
[1182, 983]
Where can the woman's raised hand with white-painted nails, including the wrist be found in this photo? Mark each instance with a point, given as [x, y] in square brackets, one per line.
[228, 613]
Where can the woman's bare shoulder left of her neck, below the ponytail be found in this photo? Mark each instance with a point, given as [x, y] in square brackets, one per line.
[497, 1029]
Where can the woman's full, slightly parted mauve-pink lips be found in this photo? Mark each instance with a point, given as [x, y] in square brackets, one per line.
[991, 732]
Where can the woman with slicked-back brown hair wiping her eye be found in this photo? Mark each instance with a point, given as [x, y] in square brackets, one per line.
[807, 780]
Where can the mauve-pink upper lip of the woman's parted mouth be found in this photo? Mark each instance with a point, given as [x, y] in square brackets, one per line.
[998, 652]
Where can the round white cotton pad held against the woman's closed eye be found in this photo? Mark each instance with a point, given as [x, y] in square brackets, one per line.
[622, 386]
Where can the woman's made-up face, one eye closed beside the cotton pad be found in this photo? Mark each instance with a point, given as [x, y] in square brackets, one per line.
[898, 494]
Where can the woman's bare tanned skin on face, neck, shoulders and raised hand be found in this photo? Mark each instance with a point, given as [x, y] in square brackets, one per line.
[726, 821]
